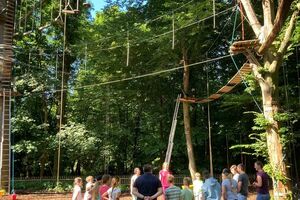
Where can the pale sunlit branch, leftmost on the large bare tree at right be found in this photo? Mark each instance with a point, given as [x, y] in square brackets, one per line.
[254, 23]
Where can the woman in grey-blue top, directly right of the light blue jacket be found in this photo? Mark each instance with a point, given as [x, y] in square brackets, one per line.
[229, 186]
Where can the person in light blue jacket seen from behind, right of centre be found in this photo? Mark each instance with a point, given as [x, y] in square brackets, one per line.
[211, 188]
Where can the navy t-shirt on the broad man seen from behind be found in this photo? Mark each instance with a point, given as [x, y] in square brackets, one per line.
[147, 184]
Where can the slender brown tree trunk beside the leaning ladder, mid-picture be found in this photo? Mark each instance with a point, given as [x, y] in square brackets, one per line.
[186, 116]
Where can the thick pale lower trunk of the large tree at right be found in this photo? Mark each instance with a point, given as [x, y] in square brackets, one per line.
[269, 89]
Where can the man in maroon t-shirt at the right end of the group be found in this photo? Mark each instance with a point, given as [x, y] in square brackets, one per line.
[262, 182]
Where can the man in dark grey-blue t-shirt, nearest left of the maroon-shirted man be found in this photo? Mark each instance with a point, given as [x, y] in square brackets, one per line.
[243, 183]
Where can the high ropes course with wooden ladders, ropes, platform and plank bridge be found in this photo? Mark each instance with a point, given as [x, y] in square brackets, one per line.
[8, 25]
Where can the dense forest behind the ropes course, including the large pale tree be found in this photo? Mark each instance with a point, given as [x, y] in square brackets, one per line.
[96, 93]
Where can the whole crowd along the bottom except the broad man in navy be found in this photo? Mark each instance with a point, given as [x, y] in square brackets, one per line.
[234, 186]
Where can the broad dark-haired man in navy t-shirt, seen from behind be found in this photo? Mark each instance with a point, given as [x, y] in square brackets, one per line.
[147, 186]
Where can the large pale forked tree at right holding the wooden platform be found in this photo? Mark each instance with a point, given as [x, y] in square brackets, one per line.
[266, 73]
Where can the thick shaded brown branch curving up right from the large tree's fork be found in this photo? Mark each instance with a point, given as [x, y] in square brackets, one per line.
[281, 15]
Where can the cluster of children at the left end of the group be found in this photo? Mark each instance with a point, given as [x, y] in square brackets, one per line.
[106, 188]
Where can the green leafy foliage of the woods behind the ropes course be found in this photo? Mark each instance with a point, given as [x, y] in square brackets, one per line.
[112, 125]
